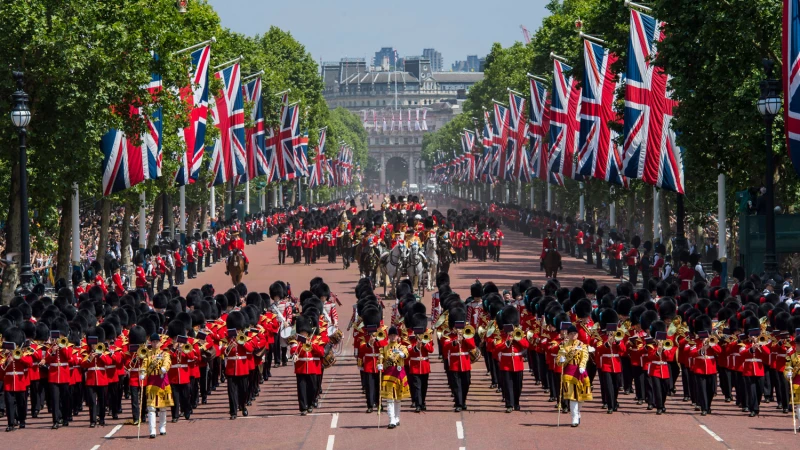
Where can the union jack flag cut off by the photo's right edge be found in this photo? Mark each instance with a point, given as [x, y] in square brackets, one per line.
[791, 67]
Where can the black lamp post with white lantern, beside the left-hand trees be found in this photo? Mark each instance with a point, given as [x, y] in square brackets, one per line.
[21, 117]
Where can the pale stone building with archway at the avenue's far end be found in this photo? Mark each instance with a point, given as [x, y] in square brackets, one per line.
[397, 108]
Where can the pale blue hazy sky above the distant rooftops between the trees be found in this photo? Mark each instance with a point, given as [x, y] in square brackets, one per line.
[331, 29]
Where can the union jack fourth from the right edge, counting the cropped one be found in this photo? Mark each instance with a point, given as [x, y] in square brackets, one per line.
[564, 124]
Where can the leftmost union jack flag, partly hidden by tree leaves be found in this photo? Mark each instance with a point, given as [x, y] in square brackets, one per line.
[127, 163]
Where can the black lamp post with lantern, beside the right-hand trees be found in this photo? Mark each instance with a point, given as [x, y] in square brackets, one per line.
[769, 103]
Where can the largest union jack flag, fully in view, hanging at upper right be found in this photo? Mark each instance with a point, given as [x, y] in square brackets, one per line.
[651, 152]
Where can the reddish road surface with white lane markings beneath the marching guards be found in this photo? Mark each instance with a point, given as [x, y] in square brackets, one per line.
[341, 421]
